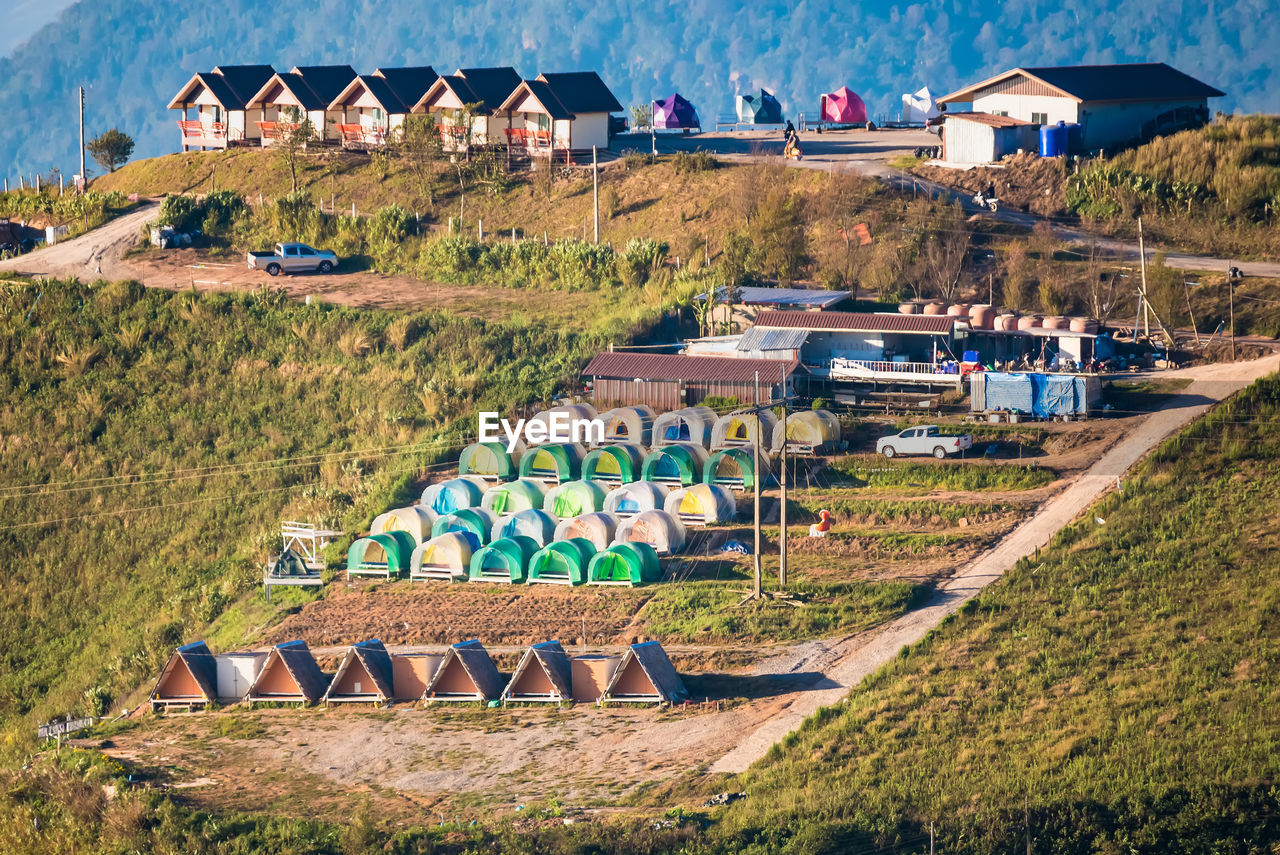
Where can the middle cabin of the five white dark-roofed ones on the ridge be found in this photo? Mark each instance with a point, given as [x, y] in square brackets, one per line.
[374, 106]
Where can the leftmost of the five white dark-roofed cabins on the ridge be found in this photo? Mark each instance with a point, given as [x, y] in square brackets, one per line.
[213, 106]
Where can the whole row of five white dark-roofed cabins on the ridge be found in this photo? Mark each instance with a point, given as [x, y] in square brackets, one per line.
[252, 104]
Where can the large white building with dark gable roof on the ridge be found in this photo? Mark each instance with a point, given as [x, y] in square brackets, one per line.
[1113, 104]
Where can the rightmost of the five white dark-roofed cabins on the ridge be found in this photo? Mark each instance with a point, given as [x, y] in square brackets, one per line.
[566, 113]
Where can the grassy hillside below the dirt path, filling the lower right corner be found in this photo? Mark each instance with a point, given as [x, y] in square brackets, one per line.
[1119, 693]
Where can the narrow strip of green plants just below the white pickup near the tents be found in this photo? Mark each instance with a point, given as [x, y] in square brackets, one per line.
[971, 477]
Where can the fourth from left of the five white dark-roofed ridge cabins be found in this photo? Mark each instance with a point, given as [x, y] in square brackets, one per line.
[486, 88]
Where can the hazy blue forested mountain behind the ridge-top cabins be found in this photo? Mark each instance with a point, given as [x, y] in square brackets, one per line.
[132, 56]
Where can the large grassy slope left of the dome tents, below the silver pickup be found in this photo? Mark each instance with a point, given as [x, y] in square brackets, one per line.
[180, 429]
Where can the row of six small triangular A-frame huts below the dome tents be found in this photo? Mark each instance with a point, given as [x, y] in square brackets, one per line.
[369, 674]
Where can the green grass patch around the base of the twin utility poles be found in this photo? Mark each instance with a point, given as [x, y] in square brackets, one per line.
[712, 612]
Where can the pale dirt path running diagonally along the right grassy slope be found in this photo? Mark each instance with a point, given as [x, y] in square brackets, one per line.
[849, 661]
